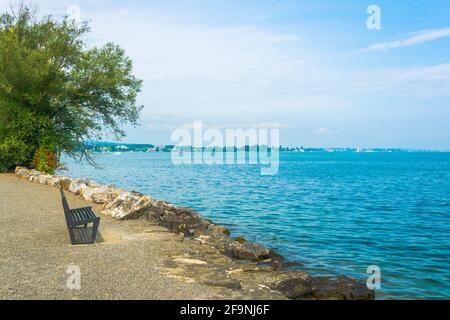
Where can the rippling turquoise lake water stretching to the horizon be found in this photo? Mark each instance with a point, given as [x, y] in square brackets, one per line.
[337, 213]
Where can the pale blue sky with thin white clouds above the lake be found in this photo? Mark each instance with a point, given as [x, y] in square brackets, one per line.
[311, 68]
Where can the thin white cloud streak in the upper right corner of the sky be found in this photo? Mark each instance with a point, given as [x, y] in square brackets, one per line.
[413, 39]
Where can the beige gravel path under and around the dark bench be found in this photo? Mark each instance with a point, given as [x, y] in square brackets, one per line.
[127, 262]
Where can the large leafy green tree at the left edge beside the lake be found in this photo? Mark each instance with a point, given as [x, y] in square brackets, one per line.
[56, 93]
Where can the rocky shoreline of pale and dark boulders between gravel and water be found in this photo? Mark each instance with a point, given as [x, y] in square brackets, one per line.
[253, 265]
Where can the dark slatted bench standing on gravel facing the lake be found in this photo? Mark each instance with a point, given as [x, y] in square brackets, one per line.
[77, 222]
